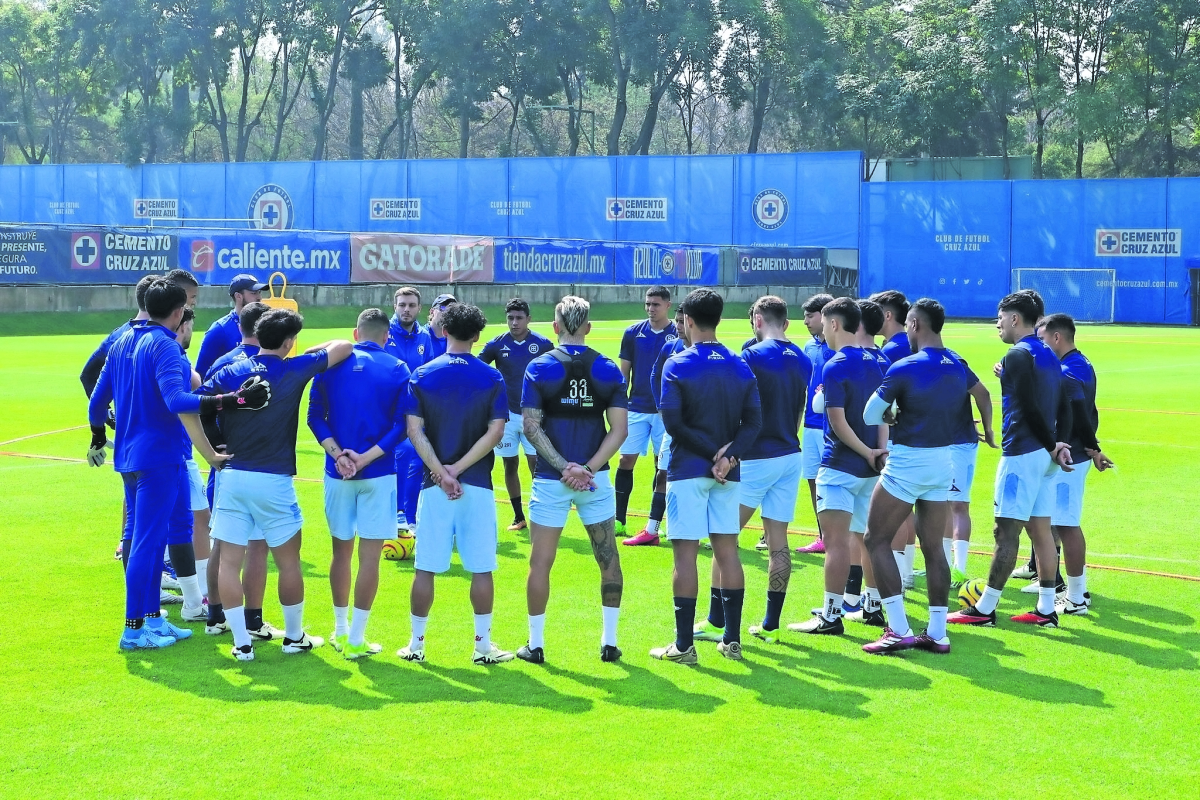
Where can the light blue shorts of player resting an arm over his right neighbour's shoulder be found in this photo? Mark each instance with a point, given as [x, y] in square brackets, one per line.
[256, 503]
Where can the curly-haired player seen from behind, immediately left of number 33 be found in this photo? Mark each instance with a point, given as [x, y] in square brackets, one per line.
[457, 410]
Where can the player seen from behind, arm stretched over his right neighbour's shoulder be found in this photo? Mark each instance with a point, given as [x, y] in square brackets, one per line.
[256, 494]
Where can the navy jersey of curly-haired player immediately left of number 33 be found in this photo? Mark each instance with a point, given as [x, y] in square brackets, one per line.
[458, 396]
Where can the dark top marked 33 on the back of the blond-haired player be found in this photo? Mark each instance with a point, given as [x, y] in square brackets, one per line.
[573, 406]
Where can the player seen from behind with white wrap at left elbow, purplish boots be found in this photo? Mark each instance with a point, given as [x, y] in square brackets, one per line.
[929, 390]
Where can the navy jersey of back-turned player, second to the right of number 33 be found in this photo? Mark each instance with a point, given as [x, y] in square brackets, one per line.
[784, 374]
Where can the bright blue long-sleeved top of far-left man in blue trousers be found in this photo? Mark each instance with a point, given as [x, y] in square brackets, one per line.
[147, 378]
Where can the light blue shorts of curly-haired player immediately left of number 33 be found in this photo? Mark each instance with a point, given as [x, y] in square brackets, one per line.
[467, 525]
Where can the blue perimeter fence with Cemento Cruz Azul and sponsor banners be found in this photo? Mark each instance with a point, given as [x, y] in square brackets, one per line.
[753, 220]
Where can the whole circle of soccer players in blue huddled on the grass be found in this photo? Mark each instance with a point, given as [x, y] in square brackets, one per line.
[411, 422]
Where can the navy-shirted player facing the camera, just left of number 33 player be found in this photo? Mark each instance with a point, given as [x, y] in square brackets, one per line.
[512, 353]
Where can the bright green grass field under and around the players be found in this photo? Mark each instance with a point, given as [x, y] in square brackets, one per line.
[1106, 707]
